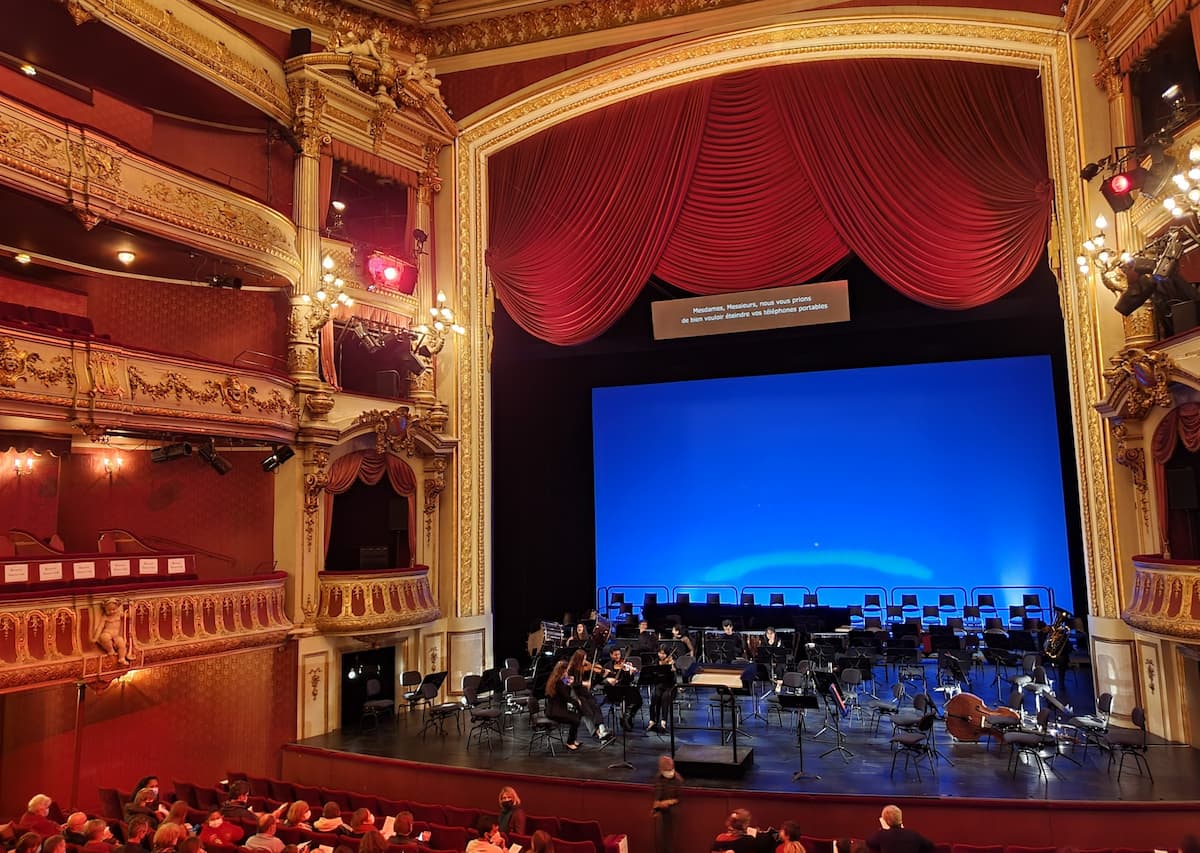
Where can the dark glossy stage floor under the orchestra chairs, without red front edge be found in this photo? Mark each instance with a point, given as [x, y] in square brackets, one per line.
[968, 771]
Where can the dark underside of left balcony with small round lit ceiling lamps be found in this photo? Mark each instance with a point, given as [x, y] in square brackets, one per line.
[43, 229]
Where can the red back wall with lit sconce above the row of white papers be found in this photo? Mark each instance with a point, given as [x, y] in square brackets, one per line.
[183, 501]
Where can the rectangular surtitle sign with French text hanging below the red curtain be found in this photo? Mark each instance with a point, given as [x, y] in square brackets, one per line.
[779, 308]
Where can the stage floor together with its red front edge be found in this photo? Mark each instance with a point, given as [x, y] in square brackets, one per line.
[977, 800]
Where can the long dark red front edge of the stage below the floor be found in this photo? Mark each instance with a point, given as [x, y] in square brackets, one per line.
[622, 804]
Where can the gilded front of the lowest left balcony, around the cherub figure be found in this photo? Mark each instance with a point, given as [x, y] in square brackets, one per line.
[53, 639]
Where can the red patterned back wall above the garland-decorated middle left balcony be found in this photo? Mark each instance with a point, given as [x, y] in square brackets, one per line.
[212, 323]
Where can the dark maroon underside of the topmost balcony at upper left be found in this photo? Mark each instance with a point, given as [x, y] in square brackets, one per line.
[98, 57]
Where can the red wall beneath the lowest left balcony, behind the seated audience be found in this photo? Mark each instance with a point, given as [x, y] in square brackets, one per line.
[190, 722]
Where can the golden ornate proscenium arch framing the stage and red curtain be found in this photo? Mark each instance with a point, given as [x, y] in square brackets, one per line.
[1028, 41]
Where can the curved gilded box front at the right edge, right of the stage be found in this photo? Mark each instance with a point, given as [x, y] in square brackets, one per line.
[1166, 598]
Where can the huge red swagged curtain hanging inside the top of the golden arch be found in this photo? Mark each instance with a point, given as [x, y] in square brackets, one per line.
[933, 172]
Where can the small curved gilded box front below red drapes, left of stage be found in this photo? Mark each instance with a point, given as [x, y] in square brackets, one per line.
[353, 603]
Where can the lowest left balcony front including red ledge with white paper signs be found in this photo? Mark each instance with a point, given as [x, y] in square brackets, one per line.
[49, 632]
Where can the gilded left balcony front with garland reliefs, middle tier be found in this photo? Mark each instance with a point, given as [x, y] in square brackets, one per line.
[101, 385]
